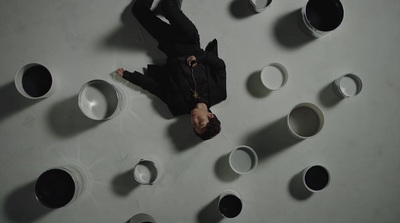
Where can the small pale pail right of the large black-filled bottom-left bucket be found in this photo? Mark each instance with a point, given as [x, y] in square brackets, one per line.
[145, 172]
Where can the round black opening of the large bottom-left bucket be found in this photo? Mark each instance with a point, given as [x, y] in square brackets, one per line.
[55, 188]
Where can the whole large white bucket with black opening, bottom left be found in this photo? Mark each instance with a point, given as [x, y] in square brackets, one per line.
[60, 186]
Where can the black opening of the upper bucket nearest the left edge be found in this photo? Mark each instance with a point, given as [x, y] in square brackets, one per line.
[37, 81]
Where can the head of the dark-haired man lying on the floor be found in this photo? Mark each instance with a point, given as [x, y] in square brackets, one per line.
[205, 124]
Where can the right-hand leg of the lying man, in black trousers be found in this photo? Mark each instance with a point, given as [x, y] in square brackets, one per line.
[183, 28]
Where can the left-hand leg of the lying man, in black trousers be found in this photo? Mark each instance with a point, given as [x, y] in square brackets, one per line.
[157, 28]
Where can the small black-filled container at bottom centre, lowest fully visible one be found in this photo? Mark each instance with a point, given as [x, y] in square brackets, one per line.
[229, 204]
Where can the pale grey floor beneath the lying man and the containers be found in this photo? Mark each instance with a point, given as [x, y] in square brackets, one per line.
[79, 41]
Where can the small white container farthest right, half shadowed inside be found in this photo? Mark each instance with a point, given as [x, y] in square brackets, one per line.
[347, 86]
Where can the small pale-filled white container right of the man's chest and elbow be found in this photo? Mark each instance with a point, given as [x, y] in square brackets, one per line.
[274, 76]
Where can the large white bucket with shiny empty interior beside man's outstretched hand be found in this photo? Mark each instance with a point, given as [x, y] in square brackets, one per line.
[100, 100]
